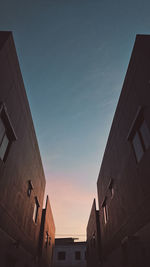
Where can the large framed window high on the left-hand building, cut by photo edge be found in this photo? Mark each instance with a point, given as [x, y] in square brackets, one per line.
[7, 134]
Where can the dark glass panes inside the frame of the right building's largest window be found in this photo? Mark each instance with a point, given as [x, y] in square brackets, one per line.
[141, 140]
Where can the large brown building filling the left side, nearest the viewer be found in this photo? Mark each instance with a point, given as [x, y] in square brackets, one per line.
[22, 180]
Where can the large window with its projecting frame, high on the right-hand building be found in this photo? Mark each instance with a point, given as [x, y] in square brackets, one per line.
[139, 135]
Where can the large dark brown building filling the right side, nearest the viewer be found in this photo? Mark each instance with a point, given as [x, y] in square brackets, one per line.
[124, 178]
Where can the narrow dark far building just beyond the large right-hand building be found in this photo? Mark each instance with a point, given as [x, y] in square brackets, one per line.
[93, 238]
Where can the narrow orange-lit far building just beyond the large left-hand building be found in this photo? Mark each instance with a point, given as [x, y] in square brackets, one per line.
[47, 236]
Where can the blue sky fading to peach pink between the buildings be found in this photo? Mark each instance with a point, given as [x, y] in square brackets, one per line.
[73, 56]
